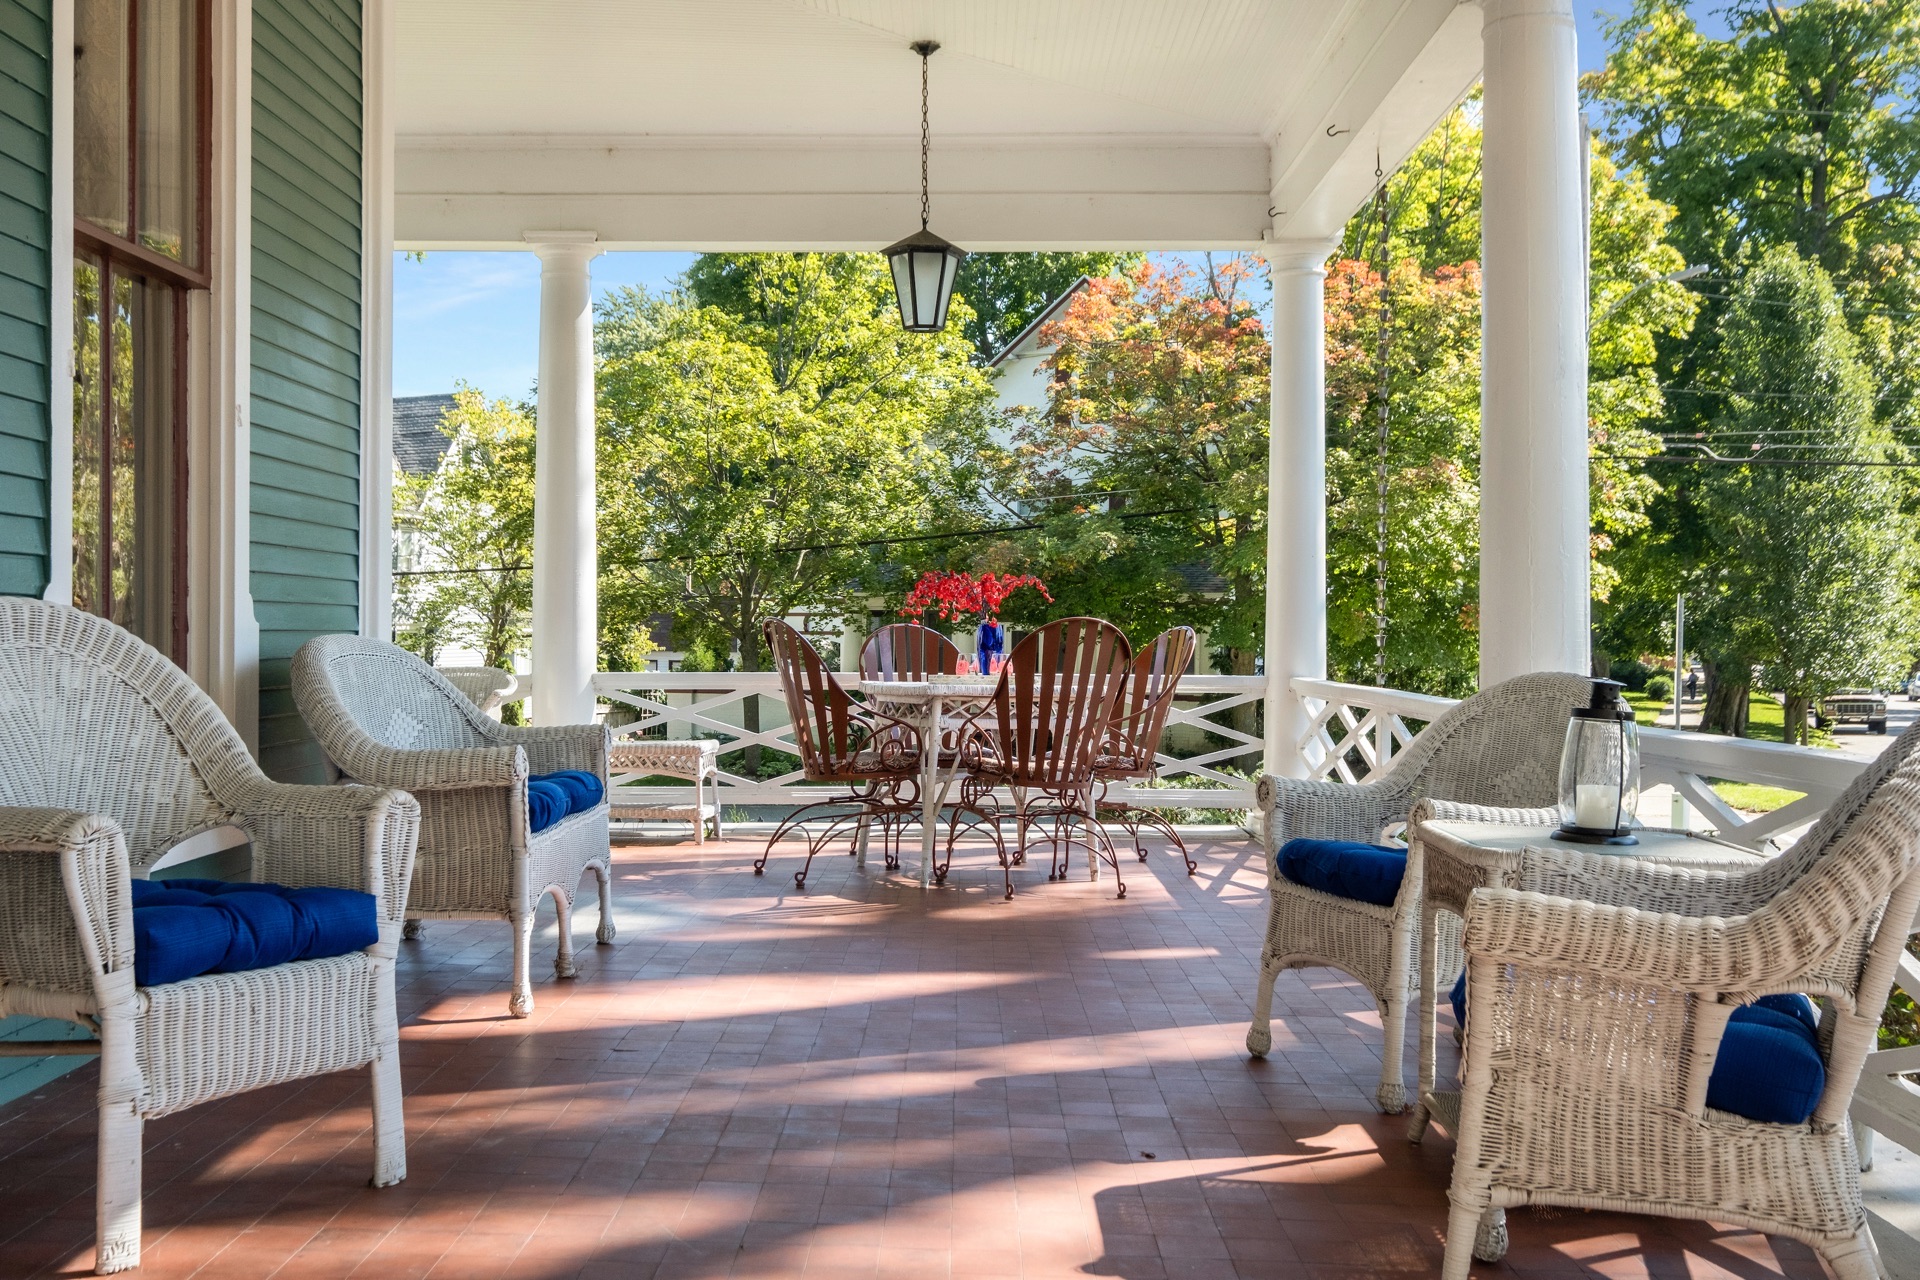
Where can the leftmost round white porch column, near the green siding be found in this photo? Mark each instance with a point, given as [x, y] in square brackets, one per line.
[565, 540]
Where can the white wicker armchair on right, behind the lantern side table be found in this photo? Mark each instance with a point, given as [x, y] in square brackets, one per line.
[1497, 749]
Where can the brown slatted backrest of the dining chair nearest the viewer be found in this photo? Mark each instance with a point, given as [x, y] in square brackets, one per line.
[1055, 703]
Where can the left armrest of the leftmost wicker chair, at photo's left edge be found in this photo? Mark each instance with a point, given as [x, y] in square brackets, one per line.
[80, 859]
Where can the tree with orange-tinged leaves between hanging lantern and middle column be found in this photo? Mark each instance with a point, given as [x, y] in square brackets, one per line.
[1149, 463]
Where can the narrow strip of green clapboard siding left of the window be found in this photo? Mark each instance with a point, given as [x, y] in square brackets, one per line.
[26, 266]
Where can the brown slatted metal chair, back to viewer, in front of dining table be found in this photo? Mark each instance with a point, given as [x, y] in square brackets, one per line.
[1042, 734]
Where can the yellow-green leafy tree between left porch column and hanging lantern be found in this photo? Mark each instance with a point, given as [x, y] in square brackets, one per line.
[765, 433]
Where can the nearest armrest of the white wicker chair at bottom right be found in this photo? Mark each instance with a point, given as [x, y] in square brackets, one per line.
[1704, 955]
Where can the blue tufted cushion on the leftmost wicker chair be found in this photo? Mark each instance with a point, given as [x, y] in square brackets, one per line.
[189, 928]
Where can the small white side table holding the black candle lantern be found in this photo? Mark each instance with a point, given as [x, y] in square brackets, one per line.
[1460, 857]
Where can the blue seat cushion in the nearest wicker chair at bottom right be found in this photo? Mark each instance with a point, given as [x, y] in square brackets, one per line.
[1769, 1064]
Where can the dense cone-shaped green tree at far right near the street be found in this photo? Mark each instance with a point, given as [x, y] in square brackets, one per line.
[1810, 554]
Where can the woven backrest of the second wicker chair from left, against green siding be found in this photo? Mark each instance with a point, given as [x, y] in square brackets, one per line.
[396, 699]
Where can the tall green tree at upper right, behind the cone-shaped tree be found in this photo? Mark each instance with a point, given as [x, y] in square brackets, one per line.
[1798, 130]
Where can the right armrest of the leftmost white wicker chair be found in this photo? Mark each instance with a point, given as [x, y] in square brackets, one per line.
[341, 838]
